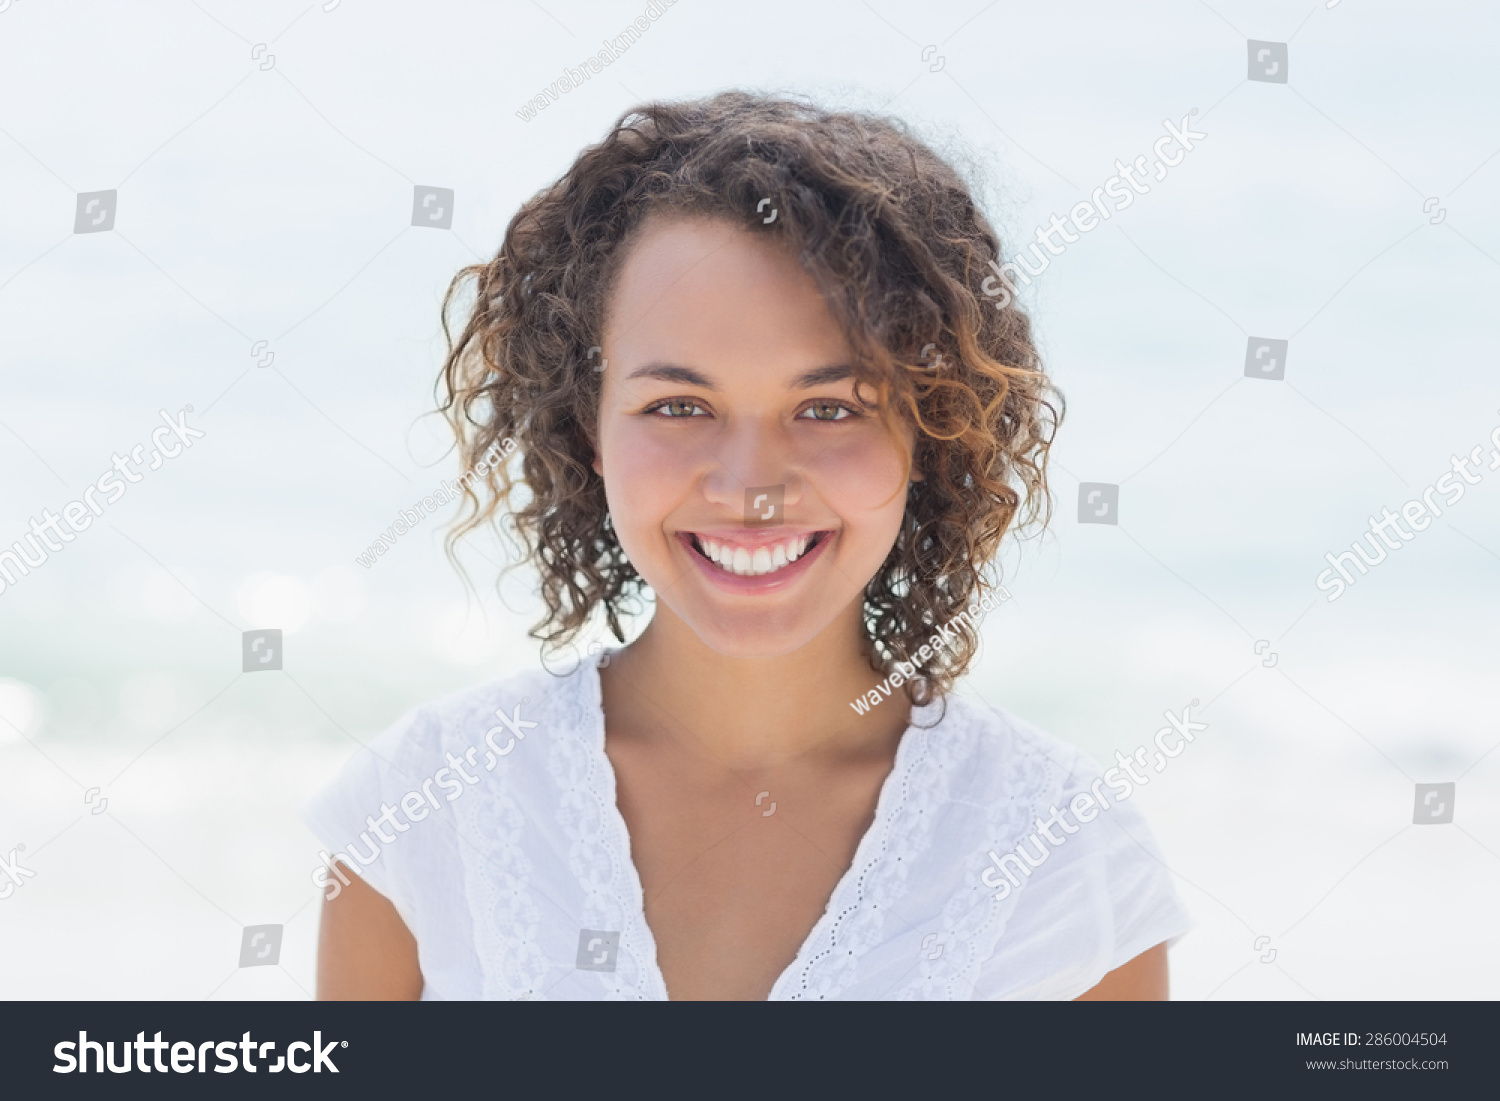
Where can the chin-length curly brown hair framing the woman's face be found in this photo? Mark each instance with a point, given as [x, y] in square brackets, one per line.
[896, 244]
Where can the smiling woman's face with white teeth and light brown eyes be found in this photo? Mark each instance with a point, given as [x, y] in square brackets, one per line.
[746, 484]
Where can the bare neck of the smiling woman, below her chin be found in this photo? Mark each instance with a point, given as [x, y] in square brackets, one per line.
[754, 712]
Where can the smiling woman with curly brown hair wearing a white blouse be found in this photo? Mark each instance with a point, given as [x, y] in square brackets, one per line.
[806, 493]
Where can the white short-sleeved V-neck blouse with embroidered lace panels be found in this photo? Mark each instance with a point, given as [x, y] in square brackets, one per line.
[490, 820]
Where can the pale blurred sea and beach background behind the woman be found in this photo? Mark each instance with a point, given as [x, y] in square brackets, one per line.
[268, 260]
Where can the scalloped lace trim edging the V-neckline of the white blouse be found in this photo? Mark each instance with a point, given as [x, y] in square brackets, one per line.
[833, 910]
